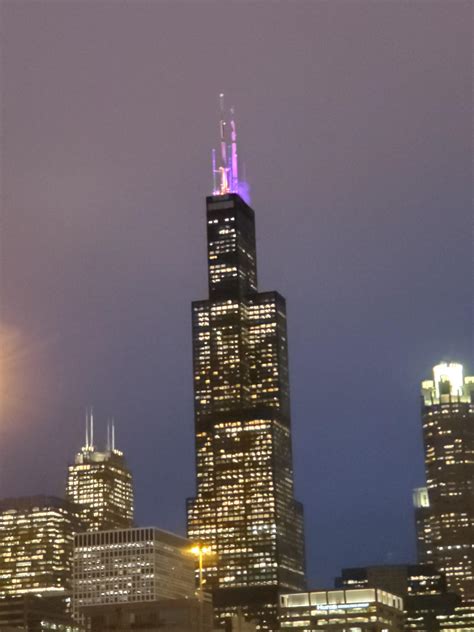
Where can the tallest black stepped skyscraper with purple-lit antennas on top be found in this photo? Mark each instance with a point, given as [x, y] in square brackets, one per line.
[244, 509]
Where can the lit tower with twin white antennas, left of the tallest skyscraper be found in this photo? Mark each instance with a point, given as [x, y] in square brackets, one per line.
[101, 484]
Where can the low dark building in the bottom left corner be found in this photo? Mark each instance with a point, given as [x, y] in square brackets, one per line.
[36, 614]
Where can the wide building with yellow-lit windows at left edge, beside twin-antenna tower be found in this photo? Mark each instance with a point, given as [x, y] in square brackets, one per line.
[36, 545]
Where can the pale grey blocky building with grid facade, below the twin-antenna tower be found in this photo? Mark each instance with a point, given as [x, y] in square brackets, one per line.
[131, 565]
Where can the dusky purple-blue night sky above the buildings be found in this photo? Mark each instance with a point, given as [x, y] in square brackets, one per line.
[354, 126]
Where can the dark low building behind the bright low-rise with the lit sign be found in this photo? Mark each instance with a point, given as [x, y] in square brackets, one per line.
[422, 587]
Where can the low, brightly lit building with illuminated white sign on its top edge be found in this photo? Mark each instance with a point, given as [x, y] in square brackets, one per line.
[357, 610]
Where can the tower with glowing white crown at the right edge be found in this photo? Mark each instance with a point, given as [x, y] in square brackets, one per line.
[446, 525]
